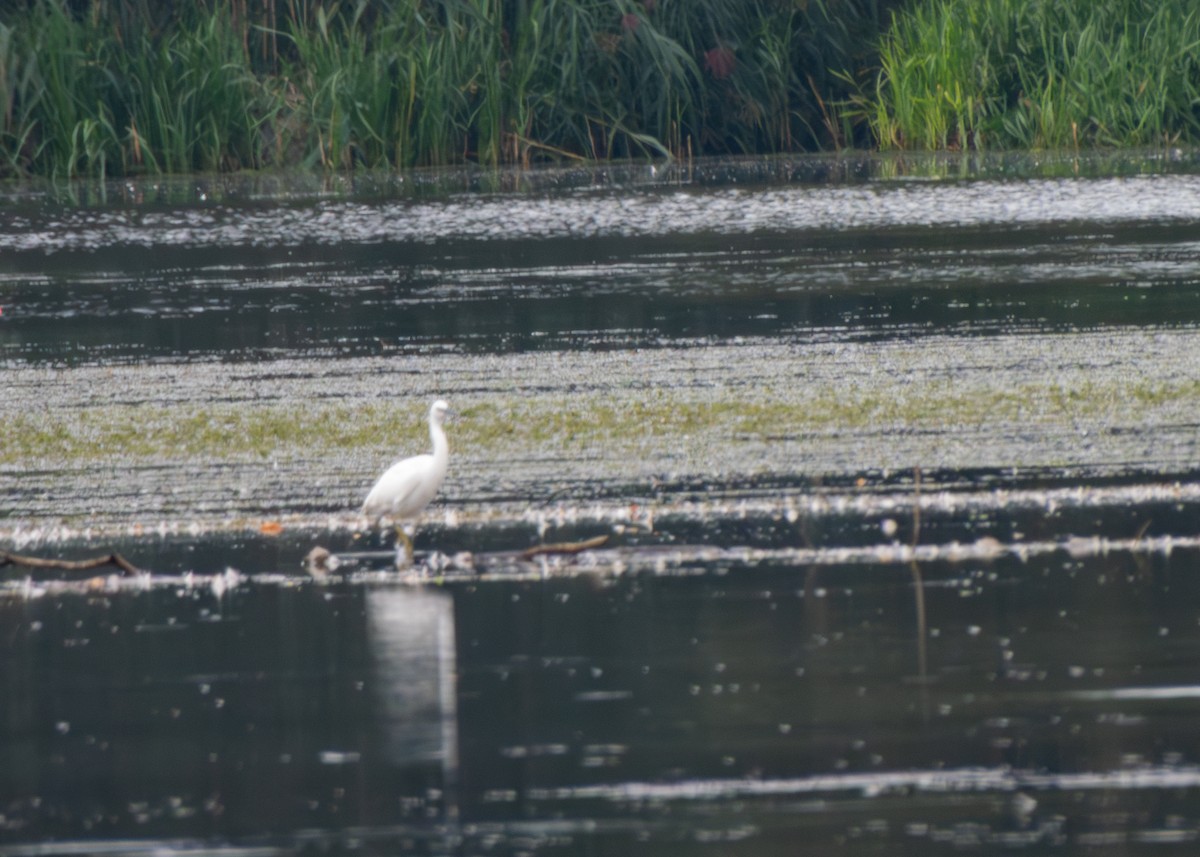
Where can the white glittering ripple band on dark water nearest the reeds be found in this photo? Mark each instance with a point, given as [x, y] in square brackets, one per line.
[604, 213]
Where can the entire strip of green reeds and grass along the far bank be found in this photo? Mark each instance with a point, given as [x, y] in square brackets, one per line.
[128, 88]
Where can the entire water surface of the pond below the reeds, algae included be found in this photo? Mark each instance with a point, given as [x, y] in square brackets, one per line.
[896, 460]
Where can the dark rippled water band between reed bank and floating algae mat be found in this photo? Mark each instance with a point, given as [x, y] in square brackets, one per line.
[227, 272]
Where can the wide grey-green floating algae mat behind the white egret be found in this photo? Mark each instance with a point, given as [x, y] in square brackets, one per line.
[209, 447]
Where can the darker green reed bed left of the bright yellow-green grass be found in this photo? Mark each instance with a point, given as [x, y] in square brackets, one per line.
[133, 87]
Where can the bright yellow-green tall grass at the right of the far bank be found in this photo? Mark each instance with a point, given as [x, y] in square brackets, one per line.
[1040, 74]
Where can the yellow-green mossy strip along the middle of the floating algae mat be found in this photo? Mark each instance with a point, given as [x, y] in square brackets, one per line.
[632, 421]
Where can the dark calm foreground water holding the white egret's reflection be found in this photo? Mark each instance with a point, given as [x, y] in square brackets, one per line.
[730, 710]
